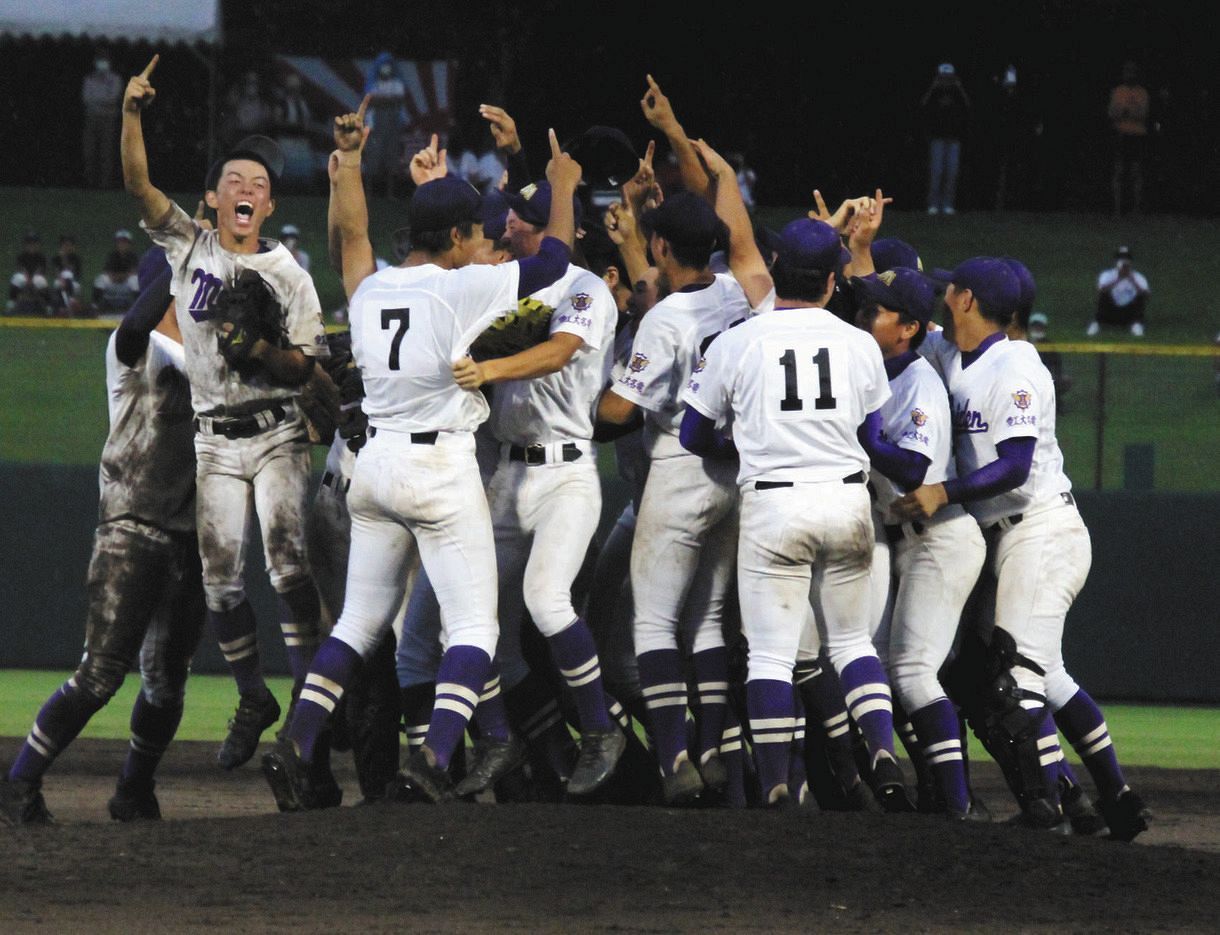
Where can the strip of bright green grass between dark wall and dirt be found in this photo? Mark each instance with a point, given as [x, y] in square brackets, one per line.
[1145, 735]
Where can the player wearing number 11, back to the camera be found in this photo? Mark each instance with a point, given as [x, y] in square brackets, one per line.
[802, 391]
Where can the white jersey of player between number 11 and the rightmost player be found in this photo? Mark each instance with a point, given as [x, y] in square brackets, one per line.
[917, 418]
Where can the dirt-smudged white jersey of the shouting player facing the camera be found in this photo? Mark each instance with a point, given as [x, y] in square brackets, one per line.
[201, 269]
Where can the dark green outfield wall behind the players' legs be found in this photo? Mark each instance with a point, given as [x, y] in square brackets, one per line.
[1146, 628]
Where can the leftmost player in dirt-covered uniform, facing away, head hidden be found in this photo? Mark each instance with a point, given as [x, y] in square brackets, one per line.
[145, 587]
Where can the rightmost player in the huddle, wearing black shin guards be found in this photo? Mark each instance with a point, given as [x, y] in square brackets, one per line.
[1012, 480]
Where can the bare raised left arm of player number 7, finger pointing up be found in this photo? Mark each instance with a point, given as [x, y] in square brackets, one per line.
[348, 208]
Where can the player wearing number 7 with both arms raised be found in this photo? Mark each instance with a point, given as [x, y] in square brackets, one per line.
[417, 480]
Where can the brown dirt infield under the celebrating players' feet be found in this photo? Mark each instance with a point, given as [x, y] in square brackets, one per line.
[225, 859]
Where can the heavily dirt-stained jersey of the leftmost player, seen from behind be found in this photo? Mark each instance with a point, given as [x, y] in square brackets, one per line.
[148, 464]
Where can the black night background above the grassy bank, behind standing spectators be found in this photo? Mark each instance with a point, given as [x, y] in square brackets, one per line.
[825, 97]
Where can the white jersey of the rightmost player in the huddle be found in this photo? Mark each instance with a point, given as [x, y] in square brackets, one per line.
[1006, 394]
